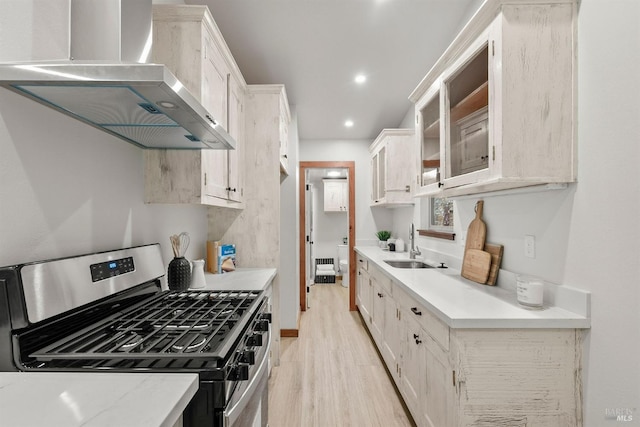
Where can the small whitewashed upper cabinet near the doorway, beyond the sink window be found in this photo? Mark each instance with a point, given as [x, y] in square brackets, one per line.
[392, 166]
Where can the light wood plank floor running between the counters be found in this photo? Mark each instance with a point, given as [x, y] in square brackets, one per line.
[331, 375]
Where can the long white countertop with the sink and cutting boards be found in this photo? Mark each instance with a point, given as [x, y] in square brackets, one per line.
[462, 303]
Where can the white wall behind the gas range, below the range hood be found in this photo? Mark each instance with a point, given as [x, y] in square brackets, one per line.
[67, 188]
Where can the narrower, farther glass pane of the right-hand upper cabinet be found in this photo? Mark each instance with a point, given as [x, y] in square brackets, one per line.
[430, 164]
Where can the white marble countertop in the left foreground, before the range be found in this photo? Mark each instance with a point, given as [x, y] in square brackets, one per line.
[69, 399]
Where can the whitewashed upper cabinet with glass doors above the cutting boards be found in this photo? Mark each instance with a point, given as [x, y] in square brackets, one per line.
[497, 110]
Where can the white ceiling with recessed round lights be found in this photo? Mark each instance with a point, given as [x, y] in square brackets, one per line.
[317, 47]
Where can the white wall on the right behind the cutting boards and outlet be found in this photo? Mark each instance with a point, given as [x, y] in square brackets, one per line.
[587, 235]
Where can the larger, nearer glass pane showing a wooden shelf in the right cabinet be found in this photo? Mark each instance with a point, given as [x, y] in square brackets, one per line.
[468, 137]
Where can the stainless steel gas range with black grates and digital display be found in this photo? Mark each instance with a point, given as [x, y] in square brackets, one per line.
[106, 312]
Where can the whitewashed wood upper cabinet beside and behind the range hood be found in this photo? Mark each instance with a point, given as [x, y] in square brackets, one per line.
[187, 40]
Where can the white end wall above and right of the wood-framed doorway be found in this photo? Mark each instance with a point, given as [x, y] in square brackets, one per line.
[368, 220]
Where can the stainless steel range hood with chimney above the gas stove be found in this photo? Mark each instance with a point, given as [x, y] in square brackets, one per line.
[141, 103]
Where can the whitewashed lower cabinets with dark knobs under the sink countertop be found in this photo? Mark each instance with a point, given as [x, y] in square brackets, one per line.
[471, 377]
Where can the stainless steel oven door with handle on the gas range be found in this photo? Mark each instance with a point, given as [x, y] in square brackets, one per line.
[248, 406]
